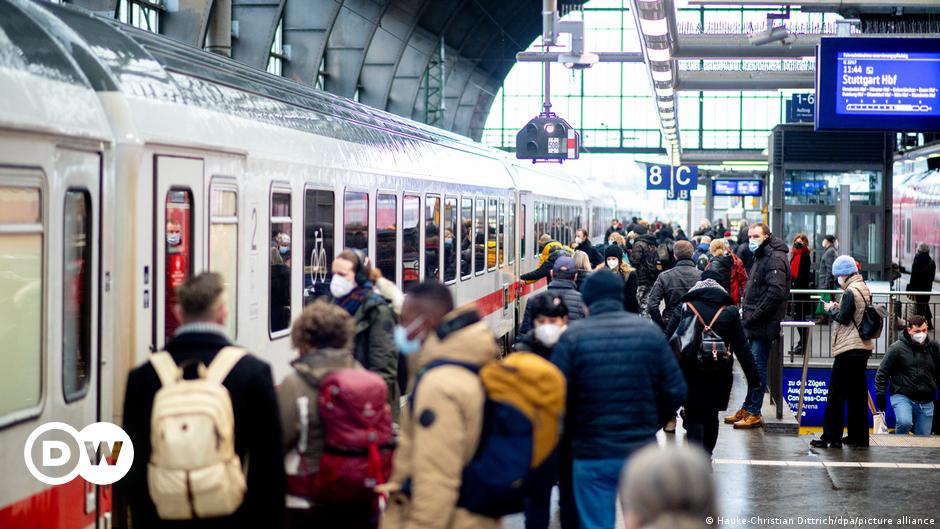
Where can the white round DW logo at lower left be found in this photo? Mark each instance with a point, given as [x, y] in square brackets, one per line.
[101, 453]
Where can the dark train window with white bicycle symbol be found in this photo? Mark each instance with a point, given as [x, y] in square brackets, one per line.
[319, 212]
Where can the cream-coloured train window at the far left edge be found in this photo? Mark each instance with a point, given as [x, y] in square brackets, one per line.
[21, 275]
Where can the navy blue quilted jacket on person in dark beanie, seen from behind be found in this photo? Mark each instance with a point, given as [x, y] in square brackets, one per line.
[623, 381]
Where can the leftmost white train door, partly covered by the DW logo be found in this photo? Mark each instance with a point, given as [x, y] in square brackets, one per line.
[77, 354]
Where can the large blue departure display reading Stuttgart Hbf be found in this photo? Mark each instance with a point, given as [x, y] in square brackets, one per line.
[890, 84]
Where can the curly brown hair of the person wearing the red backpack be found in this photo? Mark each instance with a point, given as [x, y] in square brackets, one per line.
[322, 325]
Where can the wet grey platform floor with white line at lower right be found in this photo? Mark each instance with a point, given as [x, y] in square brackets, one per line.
[782, 481]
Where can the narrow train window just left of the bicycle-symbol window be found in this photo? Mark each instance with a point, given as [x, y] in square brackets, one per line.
[280, 257]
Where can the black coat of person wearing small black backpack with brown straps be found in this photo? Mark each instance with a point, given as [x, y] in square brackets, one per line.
[711, 390]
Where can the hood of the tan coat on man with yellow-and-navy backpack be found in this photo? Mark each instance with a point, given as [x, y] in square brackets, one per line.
[473, 343]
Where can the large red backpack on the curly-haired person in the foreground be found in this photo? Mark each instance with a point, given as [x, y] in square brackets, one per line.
[358, 444]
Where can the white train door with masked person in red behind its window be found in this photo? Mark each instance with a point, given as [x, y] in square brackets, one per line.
[179, 236]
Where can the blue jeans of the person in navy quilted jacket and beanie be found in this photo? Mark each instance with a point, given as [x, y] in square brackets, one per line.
[595, 491]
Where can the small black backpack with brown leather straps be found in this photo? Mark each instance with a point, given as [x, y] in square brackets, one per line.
[703, 349]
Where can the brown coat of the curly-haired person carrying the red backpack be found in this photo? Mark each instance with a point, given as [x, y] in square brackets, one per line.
[301, 389]
